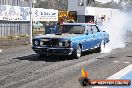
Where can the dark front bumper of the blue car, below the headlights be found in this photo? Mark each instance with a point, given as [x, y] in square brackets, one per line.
[53, 51]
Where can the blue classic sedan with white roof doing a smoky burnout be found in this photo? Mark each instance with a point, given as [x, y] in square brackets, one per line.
[71, 39]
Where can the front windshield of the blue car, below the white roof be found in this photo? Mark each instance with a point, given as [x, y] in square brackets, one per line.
[71, 29]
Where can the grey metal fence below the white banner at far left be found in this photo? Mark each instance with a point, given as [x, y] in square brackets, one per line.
[8, 28]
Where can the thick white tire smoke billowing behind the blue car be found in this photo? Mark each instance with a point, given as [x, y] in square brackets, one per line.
[117, 28]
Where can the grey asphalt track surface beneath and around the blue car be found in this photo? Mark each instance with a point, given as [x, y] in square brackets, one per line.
[20, 67]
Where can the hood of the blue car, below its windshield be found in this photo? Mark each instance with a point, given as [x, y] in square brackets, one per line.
[67, 36]
